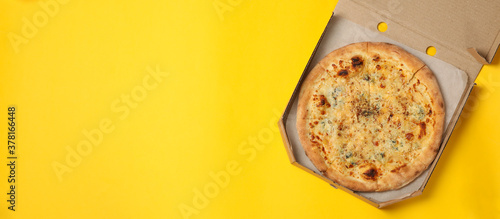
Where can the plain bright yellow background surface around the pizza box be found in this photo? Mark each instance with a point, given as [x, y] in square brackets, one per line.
[229, 73]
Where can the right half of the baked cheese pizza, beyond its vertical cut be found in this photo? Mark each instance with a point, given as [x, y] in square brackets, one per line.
[402, 111]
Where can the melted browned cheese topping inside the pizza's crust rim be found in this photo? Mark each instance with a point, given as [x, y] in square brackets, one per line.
[368, 116]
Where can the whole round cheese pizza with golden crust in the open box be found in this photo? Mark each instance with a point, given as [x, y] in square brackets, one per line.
[370, 116]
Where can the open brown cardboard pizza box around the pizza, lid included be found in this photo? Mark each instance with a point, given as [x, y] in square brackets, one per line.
[465, 35]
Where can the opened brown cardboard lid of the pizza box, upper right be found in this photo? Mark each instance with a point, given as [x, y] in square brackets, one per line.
[465, 33]
